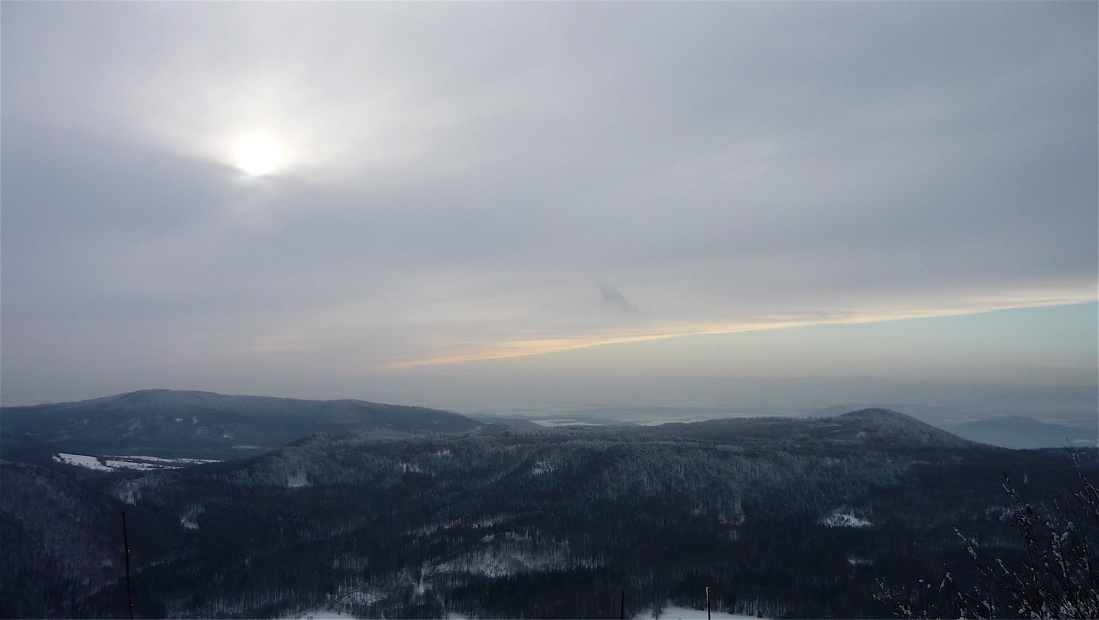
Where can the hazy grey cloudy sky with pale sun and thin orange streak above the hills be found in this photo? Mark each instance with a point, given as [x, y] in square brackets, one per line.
[373, 201]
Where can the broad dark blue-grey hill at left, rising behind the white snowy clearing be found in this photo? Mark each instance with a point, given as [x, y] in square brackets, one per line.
[202, 425]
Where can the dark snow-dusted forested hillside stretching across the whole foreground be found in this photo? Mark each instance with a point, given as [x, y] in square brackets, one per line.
[779, 517]
